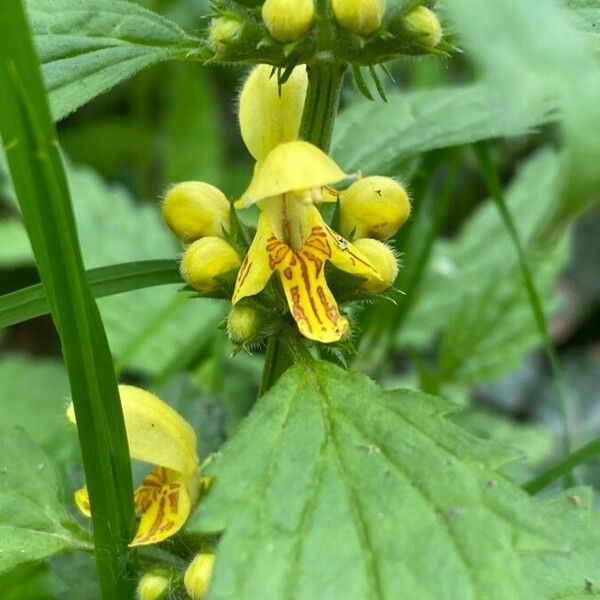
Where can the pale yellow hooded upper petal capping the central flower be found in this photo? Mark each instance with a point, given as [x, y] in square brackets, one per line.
[291, 167]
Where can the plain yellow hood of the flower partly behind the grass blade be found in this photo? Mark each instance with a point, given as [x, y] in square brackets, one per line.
[156, 433]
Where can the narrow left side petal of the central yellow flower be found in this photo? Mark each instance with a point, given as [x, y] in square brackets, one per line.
[256, 269]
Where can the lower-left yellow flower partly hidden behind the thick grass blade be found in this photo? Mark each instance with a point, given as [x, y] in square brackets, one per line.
[159, 435]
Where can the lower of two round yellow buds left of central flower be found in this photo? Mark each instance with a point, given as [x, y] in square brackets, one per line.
[206, 259]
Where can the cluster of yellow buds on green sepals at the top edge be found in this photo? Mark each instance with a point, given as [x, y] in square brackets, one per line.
[287, 32]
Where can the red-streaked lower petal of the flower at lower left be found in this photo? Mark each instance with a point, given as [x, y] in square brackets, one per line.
[164, 504]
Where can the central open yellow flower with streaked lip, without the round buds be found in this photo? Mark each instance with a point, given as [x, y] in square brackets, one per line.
[292, 238]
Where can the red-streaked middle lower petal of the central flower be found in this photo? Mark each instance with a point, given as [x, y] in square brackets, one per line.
[302, 274]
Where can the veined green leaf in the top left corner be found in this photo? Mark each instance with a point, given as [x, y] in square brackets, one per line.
[88, 46]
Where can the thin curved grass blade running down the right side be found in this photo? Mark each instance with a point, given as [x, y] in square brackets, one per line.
[492, 182]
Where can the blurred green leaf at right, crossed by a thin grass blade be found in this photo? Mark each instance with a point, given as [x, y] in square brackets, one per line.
[461, 272]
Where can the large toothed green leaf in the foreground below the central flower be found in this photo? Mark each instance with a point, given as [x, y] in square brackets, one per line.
[333, 488]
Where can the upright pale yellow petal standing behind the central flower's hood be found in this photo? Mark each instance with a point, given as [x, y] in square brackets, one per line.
[270, 114]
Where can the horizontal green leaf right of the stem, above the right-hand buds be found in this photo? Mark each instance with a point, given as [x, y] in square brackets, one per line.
[378, 137]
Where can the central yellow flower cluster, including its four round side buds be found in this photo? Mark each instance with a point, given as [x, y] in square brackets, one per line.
[291, 178]
